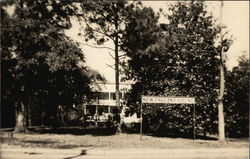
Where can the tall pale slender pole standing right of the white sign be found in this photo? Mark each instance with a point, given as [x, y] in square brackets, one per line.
[221, 125]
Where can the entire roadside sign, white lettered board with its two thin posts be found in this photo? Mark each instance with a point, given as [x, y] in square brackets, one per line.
[167, 100]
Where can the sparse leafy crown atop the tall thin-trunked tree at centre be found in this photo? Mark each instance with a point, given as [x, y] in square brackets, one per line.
[106, 21]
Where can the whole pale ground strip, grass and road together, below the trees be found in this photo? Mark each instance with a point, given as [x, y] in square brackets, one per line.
[69, 146]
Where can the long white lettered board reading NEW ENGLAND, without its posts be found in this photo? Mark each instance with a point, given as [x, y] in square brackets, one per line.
[168, 100]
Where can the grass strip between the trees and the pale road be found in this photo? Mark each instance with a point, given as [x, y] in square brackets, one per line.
[73, 139]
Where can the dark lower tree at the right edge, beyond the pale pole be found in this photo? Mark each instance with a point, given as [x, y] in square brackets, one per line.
[237, 99]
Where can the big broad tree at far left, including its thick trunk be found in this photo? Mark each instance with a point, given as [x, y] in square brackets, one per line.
[38, 58]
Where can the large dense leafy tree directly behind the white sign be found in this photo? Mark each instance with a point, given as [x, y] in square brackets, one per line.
[179, 60]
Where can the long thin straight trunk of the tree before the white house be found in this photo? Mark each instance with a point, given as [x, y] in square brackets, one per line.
[117, 91]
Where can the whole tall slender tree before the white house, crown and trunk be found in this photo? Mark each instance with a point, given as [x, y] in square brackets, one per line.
[105, 21]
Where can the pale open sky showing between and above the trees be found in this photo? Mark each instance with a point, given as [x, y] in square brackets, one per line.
[235, 16]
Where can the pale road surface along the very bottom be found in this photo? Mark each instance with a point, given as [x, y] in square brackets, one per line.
[97, 153]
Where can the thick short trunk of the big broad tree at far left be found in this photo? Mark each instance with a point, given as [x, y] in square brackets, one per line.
[21, 126]
